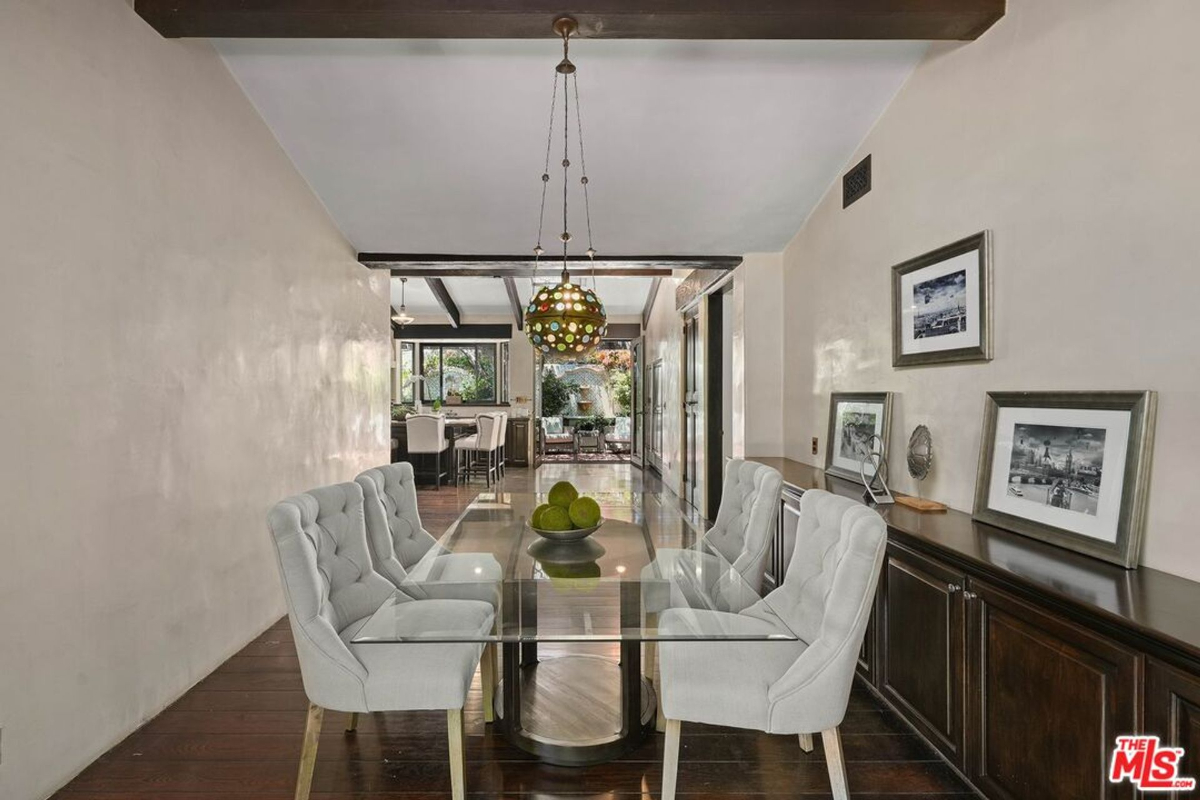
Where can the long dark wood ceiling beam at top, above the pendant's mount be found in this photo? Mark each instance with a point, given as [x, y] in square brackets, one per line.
[692, 20]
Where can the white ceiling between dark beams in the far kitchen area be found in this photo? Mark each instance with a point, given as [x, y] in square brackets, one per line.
[487, 298]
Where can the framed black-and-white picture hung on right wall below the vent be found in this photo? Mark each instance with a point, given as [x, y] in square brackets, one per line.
[941, 305]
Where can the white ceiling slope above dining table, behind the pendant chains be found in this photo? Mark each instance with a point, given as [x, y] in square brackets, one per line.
[694, 148]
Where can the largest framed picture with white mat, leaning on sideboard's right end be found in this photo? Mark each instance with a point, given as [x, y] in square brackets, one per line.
[1069, 468]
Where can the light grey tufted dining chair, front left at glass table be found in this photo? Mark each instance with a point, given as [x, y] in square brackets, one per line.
[332, 592]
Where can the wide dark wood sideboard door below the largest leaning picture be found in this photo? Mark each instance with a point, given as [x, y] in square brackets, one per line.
[1047, 701]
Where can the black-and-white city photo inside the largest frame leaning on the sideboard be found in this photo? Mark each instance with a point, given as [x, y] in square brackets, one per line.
[1058, 467]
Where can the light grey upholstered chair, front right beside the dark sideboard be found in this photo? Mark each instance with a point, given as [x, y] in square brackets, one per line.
[796, 688]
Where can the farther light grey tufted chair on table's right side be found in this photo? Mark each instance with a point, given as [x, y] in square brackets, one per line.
[742, 536]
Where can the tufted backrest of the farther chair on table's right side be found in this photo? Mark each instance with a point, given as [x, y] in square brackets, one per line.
[746, 522]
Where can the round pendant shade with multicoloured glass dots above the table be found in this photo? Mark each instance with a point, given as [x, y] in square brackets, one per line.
[566, 320]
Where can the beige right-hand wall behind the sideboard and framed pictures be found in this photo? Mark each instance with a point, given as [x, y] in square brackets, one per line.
[1070, 130]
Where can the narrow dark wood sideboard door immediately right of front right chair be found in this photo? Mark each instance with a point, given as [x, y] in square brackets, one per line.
[922, 646]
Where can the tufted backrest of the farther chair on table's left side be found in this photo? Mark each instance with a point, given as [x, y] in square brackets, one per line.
[395, 536]
